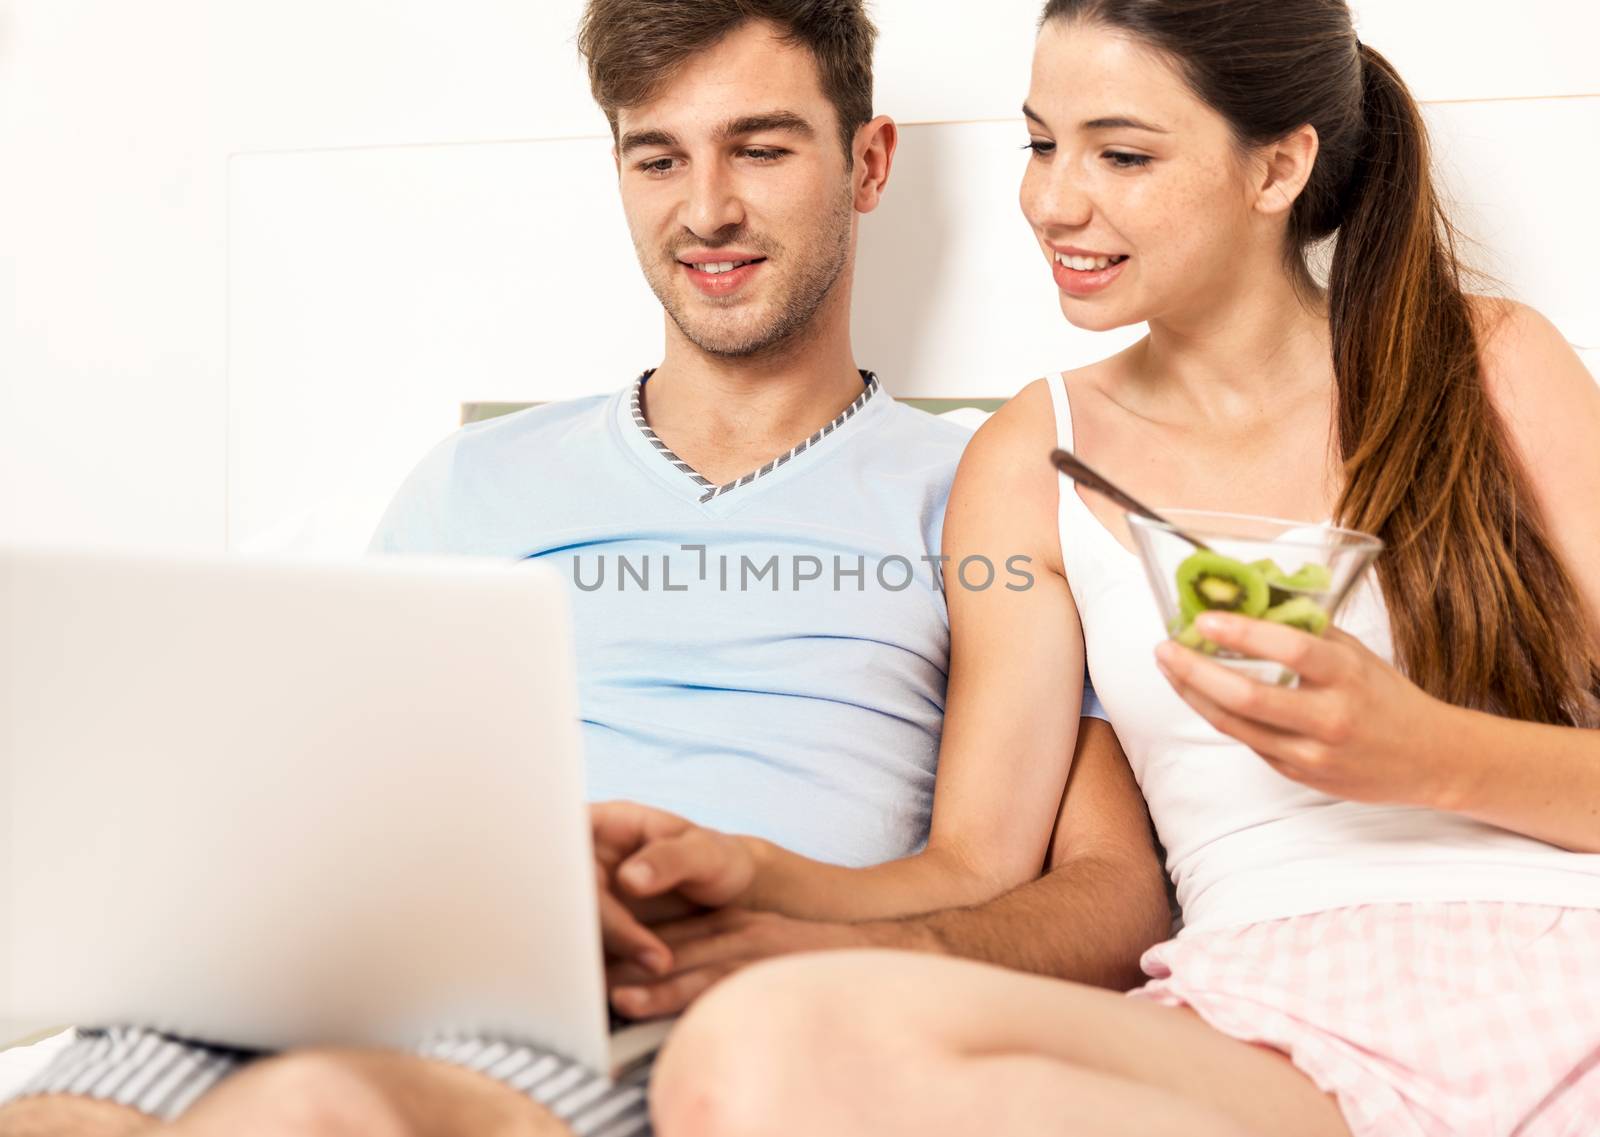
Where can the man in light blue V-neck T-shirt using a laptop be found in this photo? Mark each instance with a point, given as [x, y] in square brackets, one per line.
[753, 532]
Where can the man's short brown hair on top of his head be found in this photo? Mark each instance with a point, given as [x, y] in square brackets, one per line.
[634, 47]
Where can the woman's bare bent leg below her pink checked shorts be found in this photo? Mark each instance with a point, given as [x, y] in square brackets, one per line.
[889, 1043]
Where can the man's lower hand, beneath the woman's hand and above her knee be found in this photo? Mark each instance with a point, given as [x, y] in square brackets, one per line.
[710, 949]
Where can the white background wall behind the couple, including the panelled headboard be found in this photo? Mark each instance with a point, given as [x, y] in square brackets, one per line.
[263, 215]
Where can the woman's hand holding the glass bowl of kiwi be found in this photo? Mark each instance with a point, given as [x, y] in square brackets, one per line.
[1354, 728]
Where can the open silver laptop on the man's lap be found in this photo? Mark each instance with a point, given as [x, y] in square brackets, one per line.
[271, 804]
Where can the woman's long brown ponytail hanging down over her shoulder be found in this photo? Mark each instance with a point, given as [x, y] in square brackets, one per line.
[1486, 613]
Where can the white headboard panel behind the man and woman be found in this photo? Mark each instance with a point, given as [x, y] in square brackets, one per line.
[377, 290]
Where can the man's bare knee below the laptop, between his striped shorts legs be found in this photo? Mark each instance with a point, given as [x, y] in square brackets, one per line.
[362, 1095]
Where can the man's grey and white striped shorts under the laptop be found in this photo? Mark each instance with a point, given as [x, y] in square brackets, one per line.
[162, 1077]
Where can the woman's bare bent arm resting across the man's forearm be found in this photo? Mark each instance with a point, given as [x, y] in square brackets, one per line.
[1012, 719]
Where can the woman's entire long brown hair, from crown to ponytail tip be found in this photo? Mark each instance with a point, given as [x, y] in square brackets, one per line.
[1484, 612]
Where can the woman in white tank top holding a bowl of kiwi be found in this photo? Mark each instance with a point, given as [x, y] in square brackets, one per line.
[1391, 876]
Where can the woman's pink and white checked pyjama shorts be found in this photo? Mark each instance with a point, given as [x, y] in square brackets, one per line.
[1422, 1019]
